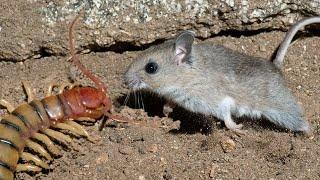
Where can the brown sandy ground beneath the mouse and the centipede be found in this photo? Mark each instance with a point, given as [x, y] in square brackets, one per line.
[183, 146]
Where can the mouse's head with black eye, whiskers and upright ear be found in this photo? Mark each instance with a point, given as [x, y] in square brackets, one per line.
[164, 66]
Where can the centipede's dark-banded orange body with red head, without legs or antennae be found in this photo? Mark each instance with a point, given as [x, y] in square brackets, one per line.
[28, 119]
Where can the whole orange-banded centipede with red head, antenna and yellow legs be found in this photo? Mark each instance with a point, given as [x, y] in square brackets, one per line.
[31, 123]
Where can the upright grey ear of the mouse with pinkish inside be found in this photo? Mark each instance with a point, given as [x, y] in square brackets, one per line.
[183, 46]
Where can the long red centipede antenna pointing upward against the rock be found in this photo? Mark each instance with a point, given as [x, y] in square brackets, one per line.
[75, 60]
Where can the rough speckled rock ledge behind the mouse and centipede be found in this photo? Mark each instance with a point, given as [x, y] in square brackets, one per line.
[36, 28]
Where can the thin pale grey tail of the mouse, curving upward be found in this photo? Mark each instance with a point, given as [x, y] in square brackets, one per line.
[278, 60]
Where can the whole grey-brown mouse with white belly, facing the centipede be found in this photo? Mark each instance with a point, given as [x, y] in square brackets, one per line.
[216, 81]
